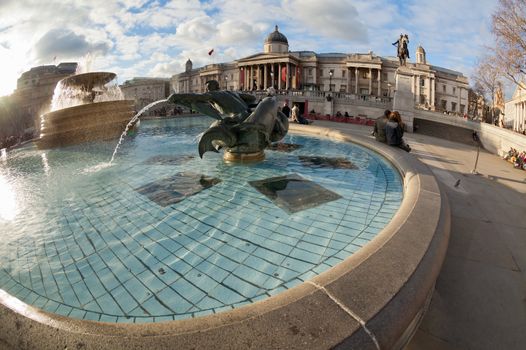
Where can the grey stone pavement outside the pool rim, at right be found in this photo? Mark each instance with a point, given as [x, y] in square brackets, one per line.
[480, 295]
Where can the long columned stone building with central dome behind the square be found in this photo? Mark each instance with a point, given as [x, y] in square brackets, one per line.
[353, 78]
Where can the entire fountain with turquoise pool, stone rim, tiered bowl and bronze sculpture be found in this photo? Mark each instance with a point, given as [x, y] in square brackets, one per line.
[283, 252]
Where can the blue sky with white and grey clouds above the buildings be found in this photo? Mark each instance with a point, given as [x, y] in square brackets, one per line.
[155, 38]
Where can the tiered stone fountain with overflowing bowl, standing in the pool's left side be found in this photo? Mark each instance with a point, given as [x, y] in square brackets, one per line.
[94, 114]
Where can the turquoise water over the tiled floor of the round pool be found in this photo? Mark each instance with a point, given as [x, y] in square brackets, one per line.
[163, 235]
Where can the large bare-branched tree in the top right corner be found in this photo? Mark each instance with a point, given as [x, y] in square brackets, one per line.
[509, 28]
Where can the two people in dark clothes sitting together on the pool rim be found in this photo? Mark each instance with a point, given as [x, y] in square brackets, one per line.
[389, 129]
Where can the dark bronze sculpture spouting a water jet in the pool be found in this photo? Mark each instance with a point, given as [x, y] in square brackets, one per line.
[243, 128]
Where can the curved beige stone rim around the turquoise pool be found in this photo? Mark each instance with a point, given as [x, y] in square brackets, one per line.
[373, 299]
